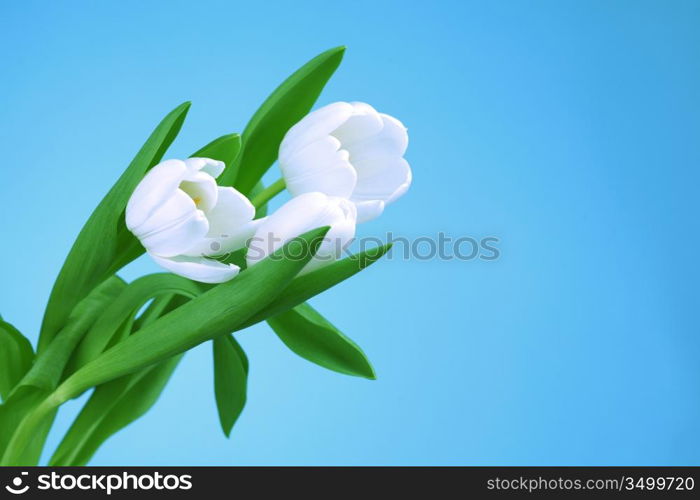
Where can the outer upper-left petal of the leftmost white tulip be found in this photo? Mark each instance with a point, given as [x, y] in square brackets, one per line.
[156, 188]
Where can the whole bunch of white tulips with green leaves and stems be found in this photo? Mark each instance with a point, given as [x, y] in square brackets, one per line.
[231, 265]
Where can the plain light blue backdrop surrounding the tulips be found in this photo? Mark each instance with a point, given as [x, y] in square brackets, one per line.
[569, 130]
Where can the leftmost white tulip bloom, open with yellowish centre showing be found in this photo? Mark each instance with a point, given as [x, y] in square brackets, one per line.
[182, 217]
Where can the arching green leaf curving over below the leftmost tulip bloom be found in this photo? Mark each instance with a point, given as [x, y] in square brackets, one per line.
[117, 318]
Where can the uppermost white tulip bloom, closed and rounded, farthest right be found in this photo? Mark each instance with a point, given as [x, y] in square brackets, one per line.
[351, 151]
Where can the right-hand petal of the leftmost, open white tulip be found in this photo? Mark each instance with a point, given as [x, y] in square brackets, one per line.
[231, 224]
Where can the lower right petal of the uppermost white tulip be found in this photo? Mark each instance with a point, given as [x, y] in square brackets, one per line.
[382, 179]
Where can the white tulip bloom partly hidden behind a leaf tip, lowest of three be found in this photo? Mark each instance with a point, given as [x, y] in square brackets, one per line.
[299, 215]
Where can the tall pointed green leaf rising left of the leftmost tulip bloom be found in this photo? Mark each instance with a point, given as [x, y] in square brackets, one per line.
[96, 249]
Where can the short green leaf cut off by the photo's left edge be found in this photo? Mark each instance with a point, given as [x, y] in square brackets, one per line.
[16, 357]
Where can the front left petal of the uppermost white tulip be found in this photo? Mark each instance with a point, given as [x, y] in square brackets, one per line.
[321, 167]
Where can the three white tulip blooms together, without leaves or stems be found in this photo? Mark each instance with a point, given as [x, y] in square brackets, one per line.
[342, 164]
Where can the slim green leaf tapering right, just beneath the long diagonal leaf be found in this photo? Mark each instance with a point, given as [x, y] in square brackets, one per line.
[311, 284]
